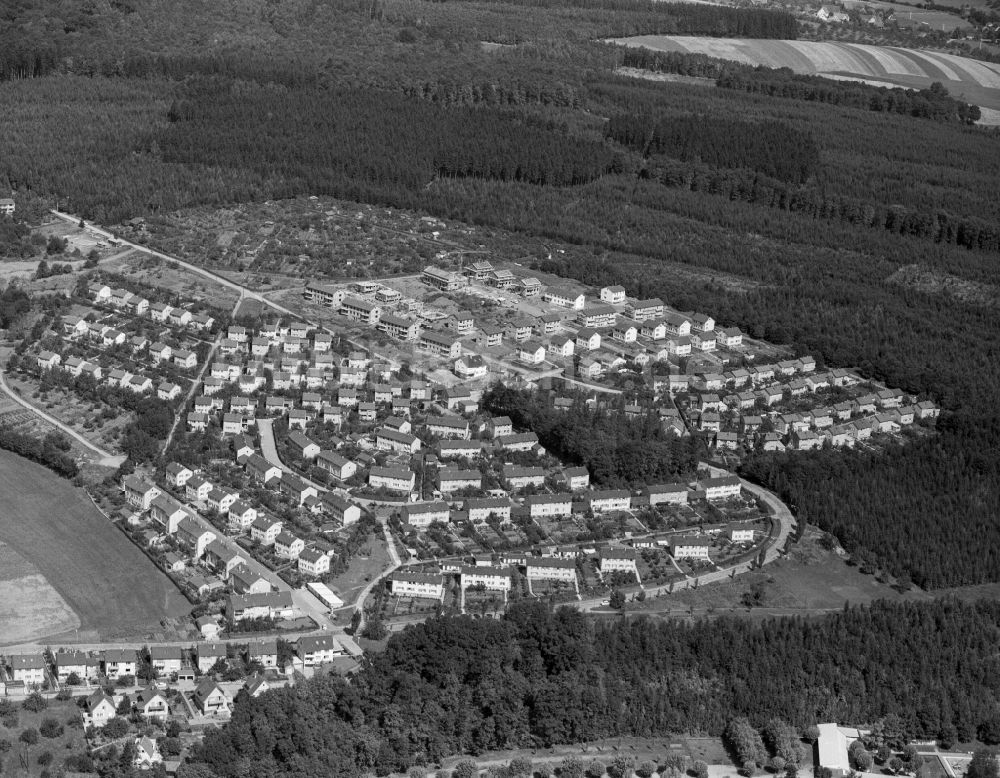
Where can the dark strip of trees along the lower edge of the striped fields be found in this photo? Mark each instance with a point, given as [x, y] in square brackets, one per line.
[933, 102]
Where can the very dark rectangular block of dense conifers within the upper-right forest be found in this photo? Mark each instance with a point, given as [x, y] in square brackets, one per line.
[769, 147]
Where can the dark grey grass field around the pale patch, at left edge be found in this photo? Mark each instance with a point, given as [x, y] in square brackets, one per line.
[111, 586]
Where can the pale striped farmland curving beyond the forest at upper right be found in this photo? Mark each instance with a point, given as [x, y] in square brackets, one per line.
[974, 81]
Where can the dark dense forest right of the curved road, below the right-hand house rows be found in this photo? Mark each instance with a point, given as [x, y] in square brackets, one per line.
[910, 511]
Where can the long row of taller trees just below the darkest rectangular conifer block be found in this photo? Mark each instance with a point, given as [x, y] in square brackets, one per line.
[758, 187]
